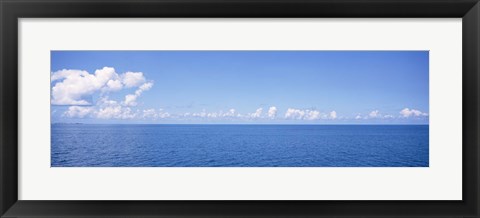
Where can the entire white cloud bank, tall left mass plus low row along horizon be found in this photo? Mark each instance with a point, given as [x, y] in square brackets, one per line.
[88, 95]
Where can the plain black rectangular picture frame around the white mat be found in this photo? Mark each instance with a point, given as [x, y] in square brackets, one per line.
[12, 10]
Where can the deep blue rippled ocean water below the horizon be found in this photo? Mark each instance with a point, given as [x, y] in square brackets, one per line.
[93, 145]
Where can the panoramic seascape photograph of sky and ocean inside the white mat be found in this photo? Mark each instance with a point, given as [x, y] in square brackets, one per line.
[233, 108]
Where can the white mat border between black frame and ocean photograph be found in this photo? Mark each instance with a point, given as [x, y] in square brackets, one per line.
[441, 181]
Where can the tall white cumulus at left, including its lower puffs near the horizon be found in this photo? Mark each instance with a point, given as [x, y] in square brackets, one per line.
[75, 87]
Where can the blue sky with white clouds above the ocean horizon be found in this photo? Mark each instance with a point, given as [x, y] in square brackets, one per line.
[240, 87]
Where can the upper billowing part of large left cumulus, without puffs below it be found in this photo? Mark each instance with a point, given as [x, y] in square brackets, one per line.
[74, 87]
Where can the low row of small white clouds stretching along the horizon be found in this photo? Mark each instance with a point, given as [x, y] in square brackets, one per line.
[110, 109]
